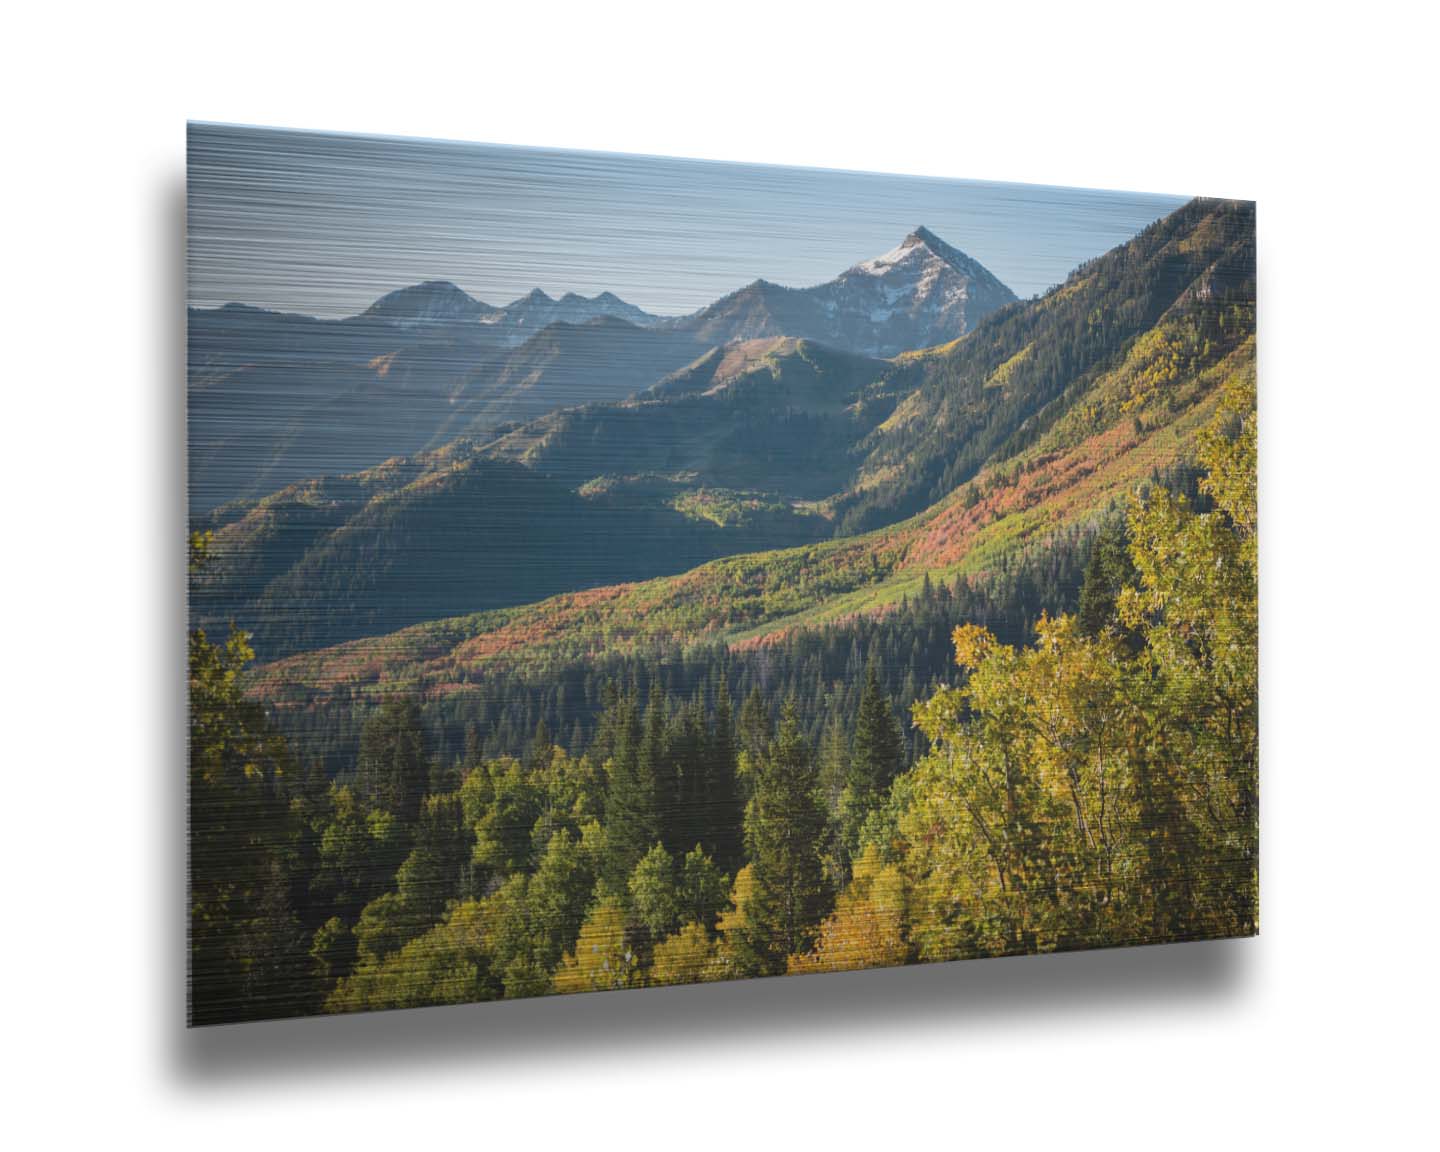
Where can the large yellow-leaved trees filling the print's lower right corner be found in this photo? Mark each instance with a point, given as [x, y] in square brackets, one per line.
[1101, 790]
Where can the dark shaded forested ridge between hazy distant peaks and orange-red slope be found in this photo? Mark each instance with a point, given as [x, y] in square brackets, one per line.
[757, 446]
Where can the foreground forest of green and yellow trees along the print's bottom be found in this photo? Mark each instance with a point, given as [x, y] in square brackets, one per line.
[1094, 788]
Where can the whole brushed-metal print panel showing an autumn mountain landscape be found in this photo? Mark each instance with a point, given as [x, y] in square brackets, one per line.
[613, 572]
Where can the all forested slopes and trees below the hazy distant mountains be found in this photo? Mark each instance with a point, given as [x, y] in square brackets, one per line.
[974, 672]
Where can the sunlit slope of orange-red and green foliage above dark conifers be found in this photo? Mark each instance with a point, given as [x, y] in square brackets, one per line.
[760, 600]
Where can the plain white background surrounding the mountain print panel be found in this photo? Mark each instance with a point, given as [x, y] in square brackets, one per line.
[1320, 1030]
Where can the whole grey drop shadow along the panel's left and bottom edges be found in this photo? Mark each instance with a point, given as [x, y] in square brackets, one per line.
[847, 1009]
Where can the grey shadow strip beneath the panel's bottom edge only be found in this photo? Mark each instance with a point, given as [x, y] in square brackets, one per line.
[846, 1009]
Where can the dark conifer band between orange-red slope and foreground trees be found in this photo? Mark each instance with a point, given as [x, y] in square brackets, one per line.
[824, 669]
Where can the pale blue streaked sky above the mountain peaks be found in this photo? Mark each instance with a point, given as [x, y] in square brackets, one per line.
[326, 224]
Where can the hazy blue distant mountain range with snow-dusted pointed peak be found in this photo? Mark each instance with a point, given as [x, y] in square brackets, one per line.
[274, 394]
